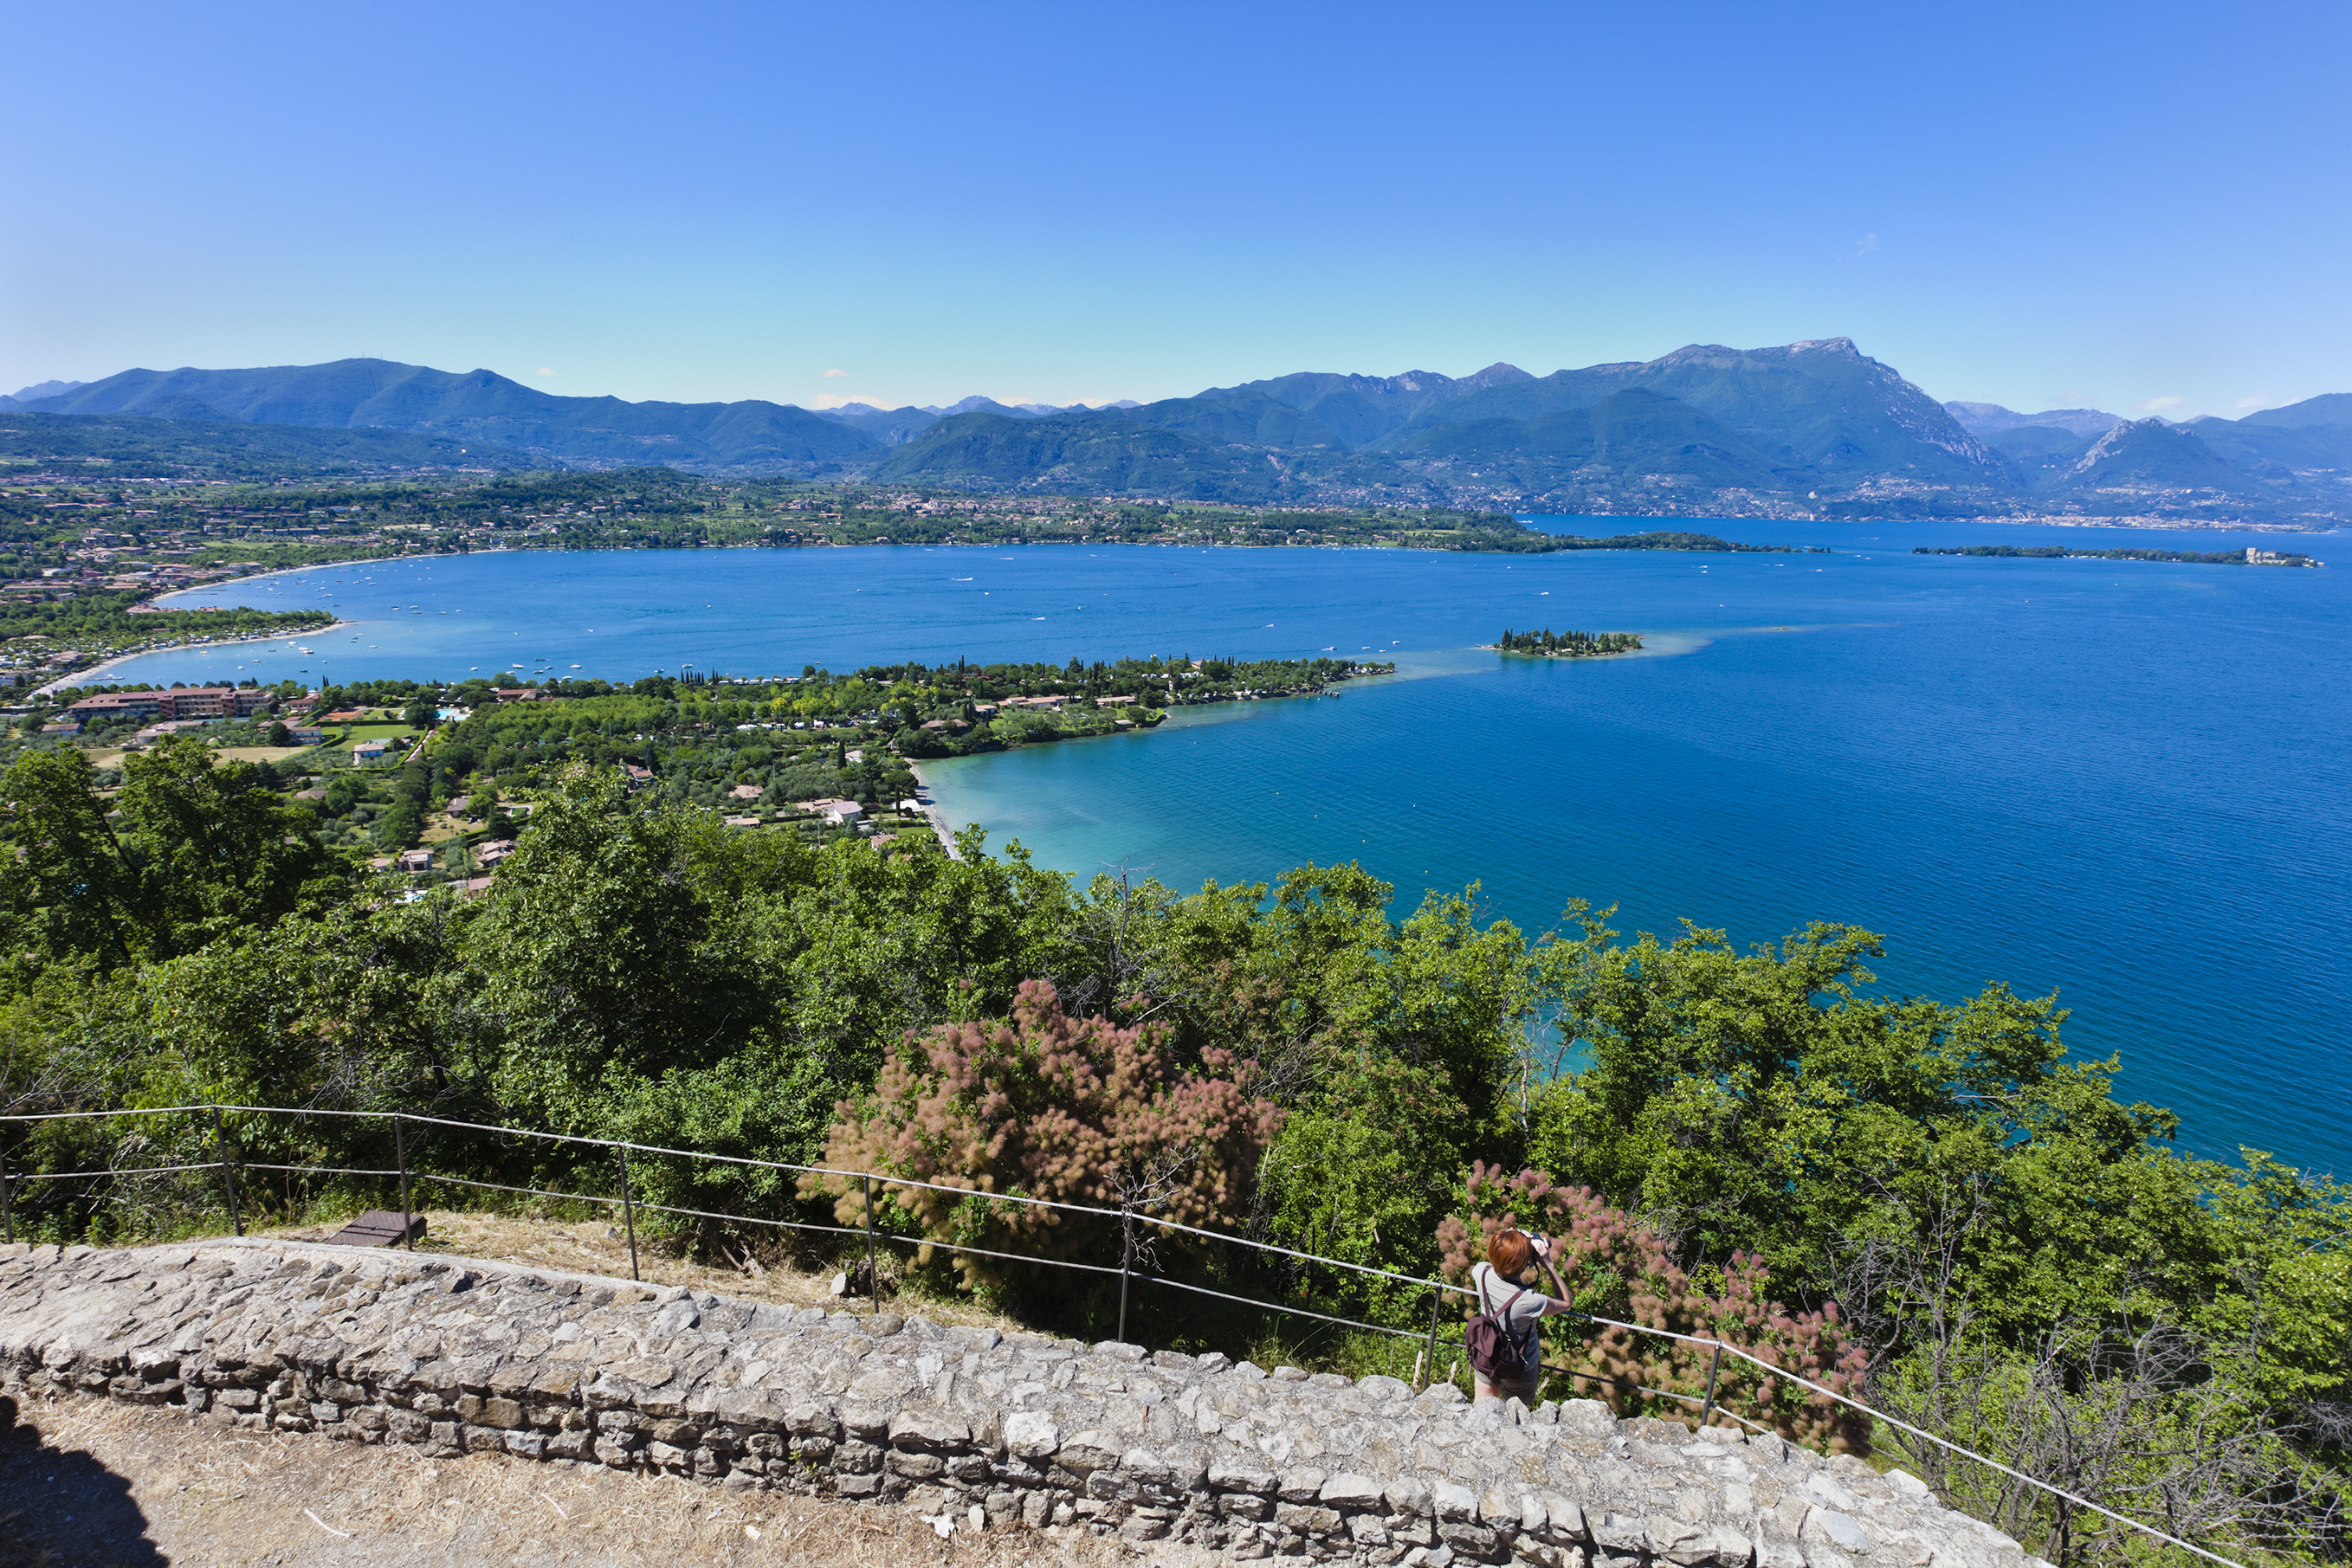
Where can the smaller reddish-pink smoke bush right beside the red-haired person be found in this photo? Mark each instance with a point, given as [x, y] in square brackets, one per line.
[1615, 1266]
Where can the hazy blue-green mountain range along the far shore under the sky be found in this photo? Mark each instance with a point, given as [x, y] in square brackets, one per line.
[1803, 429]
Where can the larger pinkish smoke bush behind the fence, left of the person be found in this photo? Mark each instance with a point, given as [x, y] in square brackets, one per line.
[1045, 1106]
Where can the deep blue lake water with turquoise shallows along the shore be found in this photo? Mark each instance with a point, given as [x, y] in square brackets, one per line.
[2111, 779]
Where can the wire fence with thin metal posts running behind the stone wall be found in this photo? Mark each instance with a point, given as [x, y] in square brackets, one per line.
[1132, 1266]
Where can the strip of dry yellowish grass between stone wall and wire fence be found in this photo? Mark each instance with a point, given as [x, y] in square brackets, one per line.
[587, 1249]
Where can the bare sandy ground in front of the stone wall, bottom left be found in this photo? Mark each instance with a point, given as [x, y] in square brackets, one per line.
[109, 1485]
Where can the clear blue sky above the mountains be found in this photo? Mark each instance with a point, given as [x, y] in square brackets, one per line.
[2109, 206]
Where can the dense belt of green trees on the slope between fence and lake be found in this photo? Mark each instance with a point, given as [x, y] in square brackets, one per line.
[2017, 1254]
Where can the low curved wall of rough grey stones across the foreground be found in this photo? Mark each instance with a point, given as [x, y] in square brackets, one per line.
[961, 1423]
